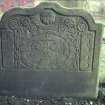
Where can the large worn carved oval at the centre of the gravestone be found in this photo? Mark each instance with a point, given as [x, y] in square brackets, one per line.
[47, 50]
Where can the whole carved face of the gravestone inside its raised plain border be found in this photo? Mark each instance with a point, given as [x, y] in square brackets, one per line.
[44, 47]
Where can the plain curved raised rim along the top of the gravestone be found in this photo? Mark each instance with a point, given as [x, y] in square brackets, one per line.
[52, 7]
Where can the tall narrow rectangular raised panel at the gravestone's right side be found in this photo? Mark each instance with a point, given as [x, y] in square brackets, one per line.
[87, 51]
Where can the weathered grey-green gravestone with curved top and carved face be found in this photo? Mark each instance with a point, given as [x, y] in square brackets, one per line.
[49, 51]
